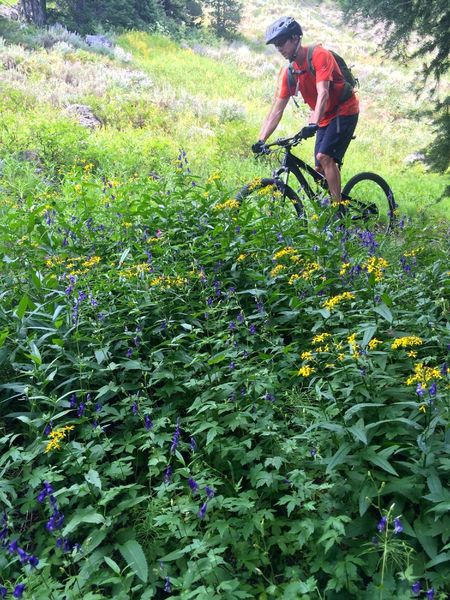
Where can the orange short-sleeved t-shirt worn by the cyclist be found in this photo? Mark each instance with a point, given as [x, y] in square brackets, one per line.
[326, 69]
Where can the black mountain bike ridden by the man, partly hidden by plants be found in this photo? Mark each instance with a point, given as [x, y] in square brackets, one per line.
[367, 197]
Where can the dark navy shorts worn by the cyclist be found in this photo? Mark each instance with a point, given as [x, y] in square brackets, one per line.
[333, 140]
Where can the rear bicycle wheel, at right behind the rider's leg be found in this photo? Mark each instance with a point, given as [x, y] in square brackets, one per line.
[371, 201]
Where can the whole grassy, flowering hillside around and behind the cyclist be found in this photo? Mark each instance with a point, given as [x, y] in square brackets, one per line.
[196, 402]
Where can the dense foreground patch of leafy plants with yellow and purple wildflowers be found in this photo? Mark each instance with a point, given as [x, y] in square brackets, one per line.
[207, 401]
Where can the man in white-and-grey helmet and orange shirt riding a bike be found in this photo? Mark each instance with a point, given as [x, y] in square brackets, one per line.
[334, 111]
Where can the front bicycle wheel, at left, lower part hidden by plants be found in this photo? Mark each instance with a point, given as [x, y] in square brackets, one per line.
[267, 191]
